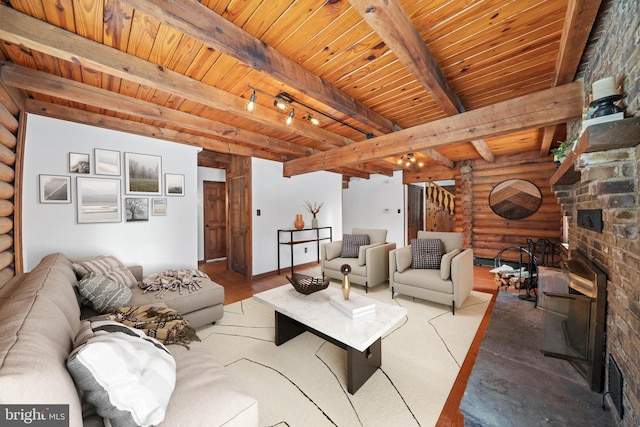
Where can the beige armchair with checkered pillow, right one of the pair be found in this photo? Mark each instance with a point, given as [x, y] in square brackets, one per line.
[434, 268]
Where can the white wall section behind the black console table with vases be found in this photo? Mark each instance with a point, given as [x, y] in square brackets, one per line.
[279, 199]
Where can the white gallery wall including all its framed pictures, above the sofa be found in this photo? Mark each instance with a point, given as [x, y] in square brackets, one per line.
[96, 191]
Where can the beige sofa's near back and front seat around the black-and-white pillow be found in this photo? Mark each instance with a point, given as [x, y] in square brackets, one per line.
[40, 318]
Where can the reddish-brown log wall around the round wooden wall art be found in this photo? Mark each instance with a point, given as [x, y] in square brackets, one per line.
[492, 233]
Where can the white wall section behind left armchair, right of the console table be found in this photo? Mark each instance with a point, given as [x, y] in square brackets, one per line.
[377, 202]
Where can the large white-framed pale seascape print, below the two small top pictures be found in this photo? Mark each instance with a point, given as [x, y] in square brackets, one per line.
[99, 200]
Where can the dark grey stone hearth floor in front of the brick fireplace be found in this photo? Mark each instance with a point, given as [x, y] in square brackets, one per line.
[514, 384]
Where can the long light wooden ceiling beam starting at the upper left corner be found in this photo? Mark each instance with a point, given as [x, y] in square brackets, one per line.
[34, 34]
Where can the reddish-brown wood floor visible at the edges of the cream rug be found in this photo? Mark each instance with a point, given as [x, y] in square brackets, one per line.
[237, 288]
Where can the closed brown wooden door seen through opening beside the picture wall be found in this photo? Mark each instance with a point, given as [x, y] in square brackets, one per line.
[215, 220]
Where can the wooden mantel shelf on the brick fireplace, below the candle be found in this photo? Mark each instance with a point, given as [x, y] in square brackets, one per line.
[600, 137]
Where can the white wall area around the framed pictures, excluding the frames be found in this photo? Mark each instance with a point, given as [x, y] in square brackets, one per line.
[162, 242]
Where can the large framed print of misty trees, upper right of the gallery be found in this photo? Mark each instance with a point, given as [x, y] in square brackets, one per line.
[143, 174]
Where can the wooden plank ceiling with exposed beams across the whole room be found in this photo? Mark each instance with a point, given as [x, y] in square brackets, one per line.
[444, 80]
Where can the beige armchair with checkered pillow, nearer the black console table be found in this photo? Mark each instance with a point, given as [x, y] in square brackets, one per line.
[365, 250]
